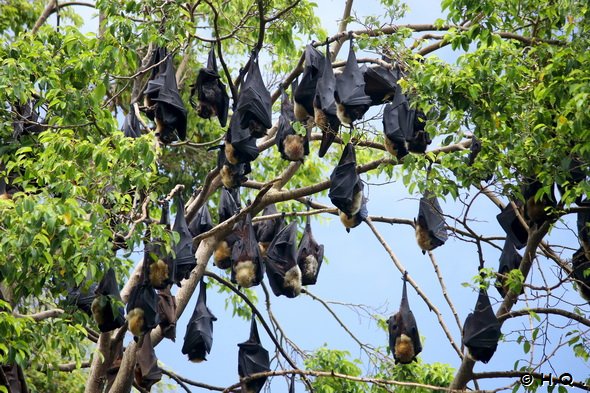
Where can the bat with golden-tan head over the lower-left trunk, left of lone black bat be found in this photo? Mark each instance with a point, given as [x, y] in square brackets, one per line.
[142, 309]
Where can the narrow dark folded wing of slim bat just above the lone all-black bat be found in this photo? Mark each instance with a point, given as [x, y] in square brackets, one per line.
[185, 255]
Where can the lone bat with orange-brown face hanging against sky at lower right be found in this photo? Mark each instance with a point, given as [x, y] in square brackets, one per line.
[404, 339]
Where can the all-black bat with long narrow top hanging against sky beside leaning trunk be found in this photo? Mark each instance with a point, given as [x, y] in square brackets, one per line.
[198, 339]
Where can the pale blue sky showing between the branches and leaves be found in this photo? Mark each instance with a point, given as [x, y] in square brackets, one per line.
[360, 272]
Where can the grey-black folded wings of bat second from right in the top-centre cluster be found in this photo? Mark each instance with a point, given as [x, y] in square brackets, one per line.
[350, 86]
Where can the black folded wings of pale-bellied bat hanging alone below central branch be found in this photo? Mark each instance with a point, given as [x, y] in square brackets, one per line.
[344, 180]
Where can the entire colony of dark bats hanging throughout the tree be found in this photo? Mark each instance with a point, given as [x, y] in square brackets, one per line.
[320, 99]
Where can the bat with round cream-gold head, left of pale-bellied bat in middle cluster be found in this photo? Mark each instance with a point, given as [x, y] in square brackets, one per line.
[247, 267]
